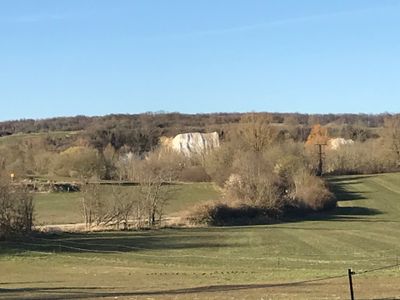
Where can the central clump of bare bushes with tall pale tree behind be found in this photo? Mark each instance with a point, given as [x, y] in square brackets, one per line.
[264, 175]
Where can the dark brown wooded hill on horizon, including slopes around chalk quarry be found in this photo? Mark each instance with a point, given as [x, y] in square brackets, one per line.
[141, 132]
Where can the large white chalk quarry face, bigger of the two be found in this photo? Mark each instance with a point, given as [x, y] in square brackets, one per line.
[192, 143]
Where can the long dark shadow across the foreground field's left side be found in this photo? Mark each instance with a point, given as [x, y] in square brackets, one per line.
[111, 242]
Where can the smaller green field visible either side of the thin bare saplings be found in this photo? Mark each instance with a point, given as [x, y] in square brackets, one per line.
[63, 208]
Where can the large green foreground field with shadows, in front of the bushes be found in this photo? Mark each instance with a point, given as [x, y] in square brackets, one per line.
[304, 259]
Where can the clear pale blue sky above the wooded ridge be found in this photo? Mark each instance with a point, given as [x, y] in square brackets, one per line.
[95, 57]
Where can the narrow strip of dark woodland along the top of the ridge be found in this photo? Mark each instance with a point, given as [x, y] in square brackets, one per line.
[173, 123]
